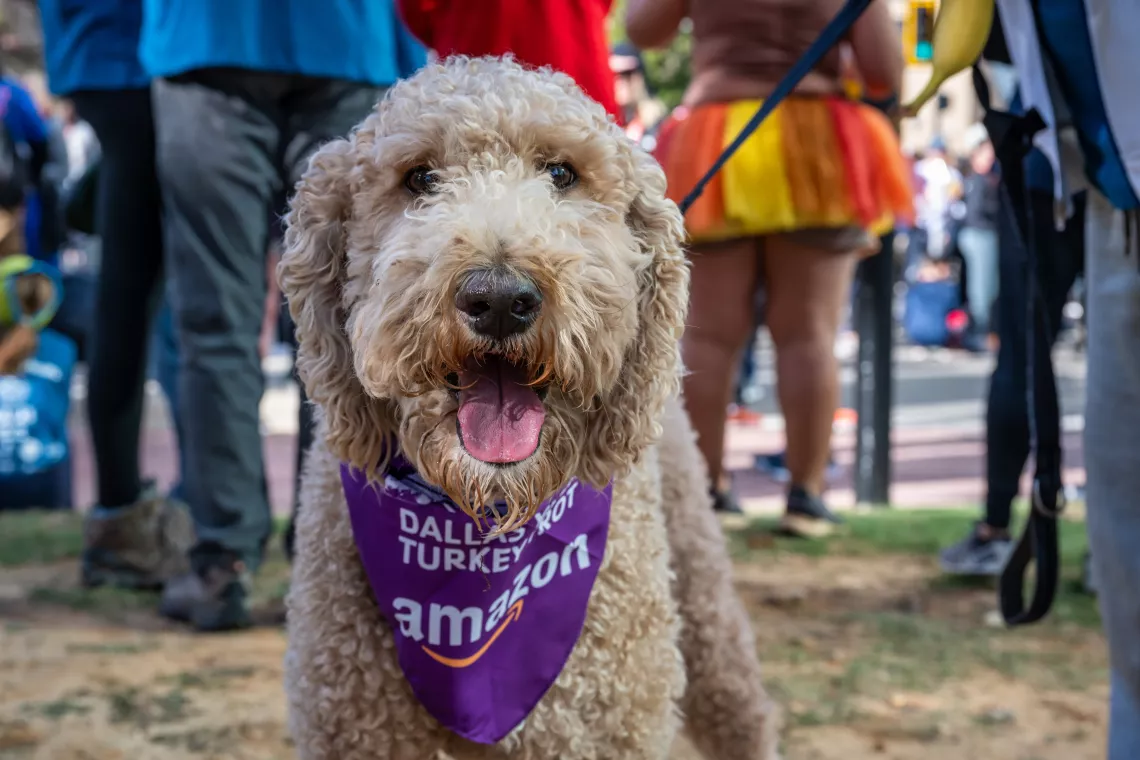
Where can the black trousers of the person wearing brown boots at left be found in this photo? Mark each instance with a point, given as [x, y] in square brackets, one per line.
[129, 289]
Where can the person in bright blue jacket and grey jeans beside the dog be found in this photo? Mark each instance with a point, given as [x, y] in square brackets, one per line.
[243, 94]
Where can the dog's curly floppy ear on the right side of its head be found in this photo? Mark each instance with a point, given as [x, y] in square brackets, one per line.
[631, 419]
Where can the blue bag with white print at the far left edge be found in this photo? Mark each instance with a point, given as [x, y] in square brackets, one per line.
[35, 456]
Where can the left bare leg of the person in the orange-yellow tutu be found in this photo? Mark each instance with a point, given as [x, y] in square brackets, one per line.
[722, 291]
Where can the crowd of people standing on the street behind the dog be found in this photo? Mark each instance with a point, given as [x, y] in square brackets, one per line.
[178, 138]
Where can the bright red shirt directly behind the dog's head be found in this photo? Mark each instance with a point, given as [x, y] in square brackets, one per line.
[568, 36]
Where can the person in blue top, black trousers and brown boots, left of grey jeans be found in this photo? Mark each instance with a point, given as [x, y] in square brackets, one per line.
[134, 537]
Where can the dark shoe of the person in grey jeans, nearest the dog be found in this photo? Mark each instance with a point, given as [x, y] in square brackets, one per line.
[213, 600]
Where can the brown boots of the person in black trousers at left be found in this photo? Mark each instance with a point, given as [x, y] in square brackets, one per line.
[141, 546]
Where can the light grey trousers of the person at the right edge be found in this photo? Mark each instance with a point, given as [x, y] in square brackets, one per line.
[1112, 452]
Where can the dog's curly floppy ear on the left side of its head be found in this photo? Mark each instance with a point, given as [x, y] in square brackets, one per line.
[312, 275]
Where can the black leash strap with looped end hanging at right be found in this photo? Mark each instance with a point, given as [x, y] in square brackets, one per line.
[1039, 544]
